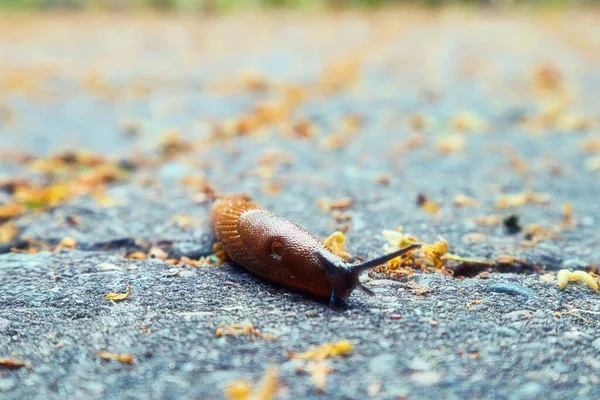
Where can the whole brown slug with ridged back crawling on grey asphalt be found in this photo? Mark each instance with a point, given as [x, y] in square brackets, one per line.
[280, 251]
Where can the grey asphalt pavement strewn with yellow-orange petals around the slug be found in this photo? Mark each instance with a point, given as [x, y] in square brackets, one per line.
[478, 127]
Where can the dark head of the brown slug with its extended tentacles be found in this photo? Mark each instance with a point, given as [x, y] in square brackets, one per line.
[344, 278]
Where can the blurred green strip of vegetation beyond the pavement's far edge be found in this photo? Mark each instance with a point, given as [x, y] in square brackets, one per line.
[224, 5]
